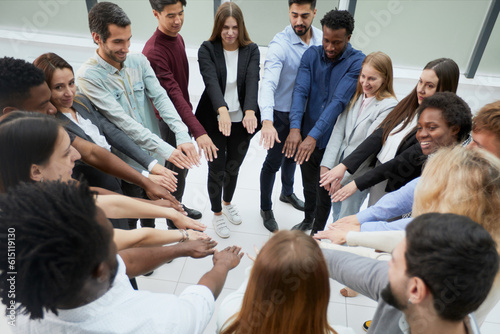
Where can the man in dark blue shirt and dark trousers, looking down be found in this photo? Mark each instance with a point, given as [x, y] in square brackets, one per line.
[325, 83]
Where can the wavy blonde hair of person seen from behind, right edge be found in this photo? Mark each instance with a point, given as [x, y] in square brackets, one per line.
[462, 181]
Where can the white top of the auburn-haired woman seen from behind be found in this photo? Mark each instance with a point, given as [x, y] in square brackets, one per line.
[232, 304]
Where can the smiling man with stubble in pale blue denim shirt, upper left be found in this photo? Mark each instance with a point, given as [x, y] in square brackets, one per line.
[124, 88]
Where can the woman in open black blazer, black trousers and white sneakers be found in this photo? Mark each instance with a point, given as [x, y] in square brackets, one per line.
[228, 109]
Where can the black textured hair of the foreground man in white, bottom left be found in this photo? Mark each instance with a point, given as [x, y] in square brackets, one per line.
[58, 243]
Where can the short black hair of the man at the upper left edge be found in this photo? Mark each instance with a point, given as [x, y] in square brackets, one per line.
[17, 77]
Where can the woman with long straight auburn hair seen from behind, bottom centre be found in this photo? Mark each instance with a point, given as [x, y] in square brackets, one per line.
[287, 292]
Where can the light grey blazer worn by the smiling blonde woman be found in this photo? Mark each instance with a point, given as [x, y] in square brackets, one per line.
[350, 131]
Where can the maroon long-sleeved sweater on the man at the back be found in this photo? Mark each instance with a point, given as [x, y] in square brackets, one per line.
[168, 59]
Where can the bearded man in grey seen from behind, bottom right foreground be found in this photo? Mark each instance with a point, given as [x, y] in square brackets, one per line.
[438, 275]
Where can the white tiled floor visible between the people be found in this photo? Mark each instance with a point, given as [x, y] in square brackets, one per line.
[176, 276]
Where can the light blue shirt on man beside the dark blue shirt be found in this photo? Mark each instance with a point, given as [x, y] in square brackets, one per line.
[280, 70]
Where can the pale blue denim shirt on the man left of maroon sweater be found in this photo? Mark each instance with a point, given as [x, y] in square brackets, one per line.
[126, 98]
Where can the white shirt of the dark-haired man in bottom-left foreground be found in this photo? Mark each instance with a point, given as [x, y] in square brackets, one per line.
[124, 310]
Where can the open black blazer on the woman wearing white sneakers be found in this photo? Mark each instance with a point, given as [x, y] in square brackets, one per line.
[213, 69]
